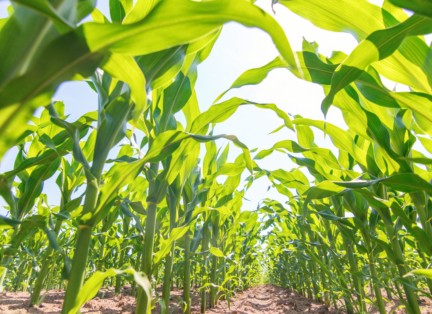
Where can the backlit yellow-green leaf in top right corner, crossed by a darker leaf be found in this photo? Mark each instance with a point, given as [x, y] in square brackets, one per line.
[361, 18]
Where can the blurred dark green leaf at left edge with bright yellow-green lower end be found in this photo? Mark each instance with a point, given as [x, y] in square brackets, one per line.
[22, 95]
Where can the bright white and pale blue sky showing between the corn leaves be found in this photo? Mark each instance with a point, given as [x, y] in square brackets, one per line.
[238, 49]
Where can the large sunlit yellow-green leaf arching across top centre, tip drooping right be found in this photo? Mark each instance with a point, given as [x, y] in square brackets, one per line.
[188, 22]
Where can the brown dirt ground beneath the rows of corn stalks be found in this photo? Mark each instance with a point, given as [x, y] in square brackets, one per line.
[267, 299]
